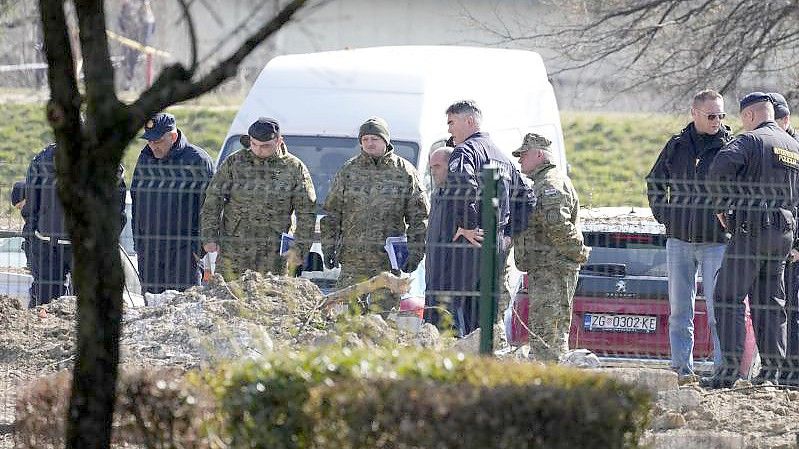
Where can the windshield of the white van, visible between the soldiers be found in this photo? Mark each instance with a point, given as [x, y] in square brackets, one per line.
[324, 156]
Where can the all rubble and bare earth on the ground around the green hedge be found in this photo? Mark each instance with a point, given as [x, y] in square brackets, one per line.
[258, 313]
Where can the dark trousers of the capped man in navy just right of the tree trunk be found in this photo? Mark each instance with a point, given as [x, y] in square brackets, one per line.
[169, 267]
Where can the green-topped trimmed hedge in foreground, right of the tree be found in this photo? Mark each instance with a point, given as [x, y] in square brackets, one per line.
[415, 399]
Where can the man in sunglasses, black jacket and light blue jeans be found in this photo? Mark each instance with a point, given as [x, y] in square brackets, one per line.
[678, 198]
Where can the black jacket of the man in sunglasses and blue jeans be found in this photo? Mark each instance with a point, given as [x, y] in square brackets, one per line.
[677, 190]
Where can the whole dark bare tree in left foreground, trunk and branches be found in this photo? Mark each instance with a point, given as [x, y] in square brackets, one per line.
[89, 152]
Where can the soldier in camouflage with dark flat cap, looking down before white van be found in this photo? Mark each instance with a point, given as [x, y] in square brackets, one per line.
[250, 202]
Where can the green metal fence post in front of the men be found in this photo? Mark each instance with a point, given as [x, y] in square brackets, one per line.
[488, 259]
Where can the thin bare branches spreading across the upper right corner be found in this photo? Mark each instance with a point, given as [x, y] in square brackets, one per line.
[680, 45]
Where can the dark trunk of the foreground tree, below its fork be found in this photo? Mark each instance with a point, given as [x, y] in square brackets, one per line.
[92, 202]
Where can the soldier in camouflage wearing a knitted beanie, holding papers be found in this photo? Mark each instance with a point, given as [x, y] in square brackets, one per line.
[375, 195]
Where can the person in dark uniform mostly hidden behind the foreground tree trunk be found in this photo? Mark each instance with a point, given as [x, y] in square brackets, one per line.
[50, 252]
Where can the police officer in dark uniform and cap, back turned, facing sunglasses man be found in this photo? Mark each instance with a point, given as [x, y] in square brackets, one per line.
[756, 178]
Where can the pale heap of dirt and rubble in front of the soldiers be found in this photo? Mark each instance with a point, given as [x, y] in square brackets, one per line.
[243, 318]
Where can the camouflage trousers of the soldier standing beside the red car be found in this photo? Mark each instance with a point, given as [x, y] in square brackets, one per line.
[551, 291]
